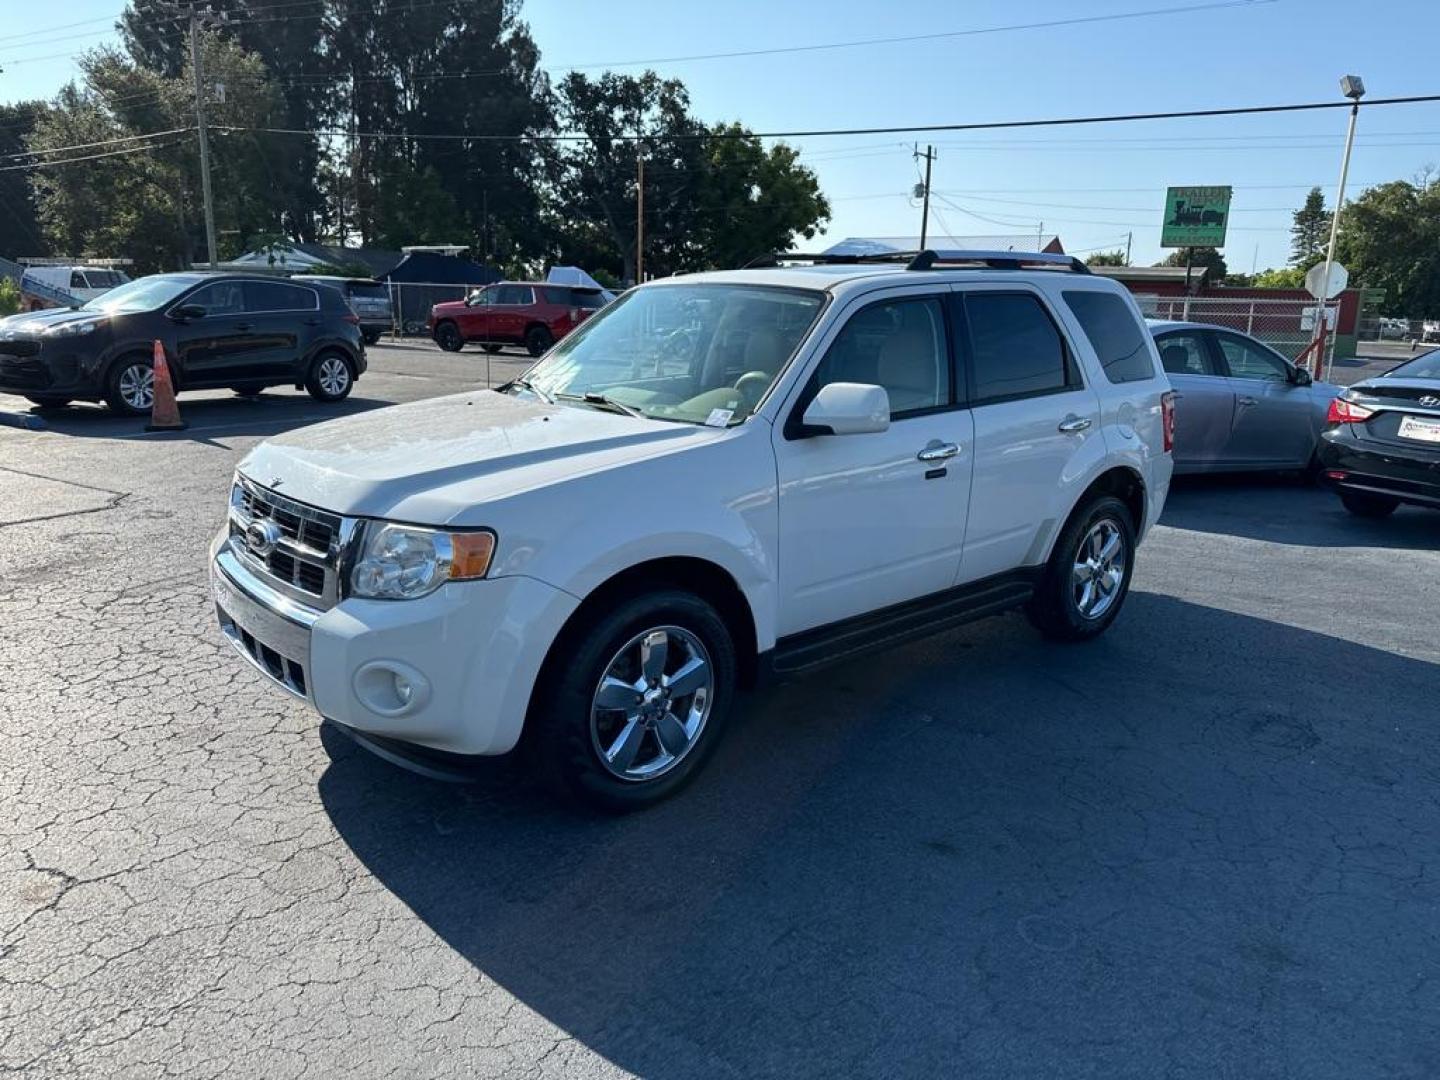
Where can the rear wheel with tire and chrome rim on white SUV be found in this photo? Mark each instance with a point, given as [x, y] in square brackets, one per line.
[1088, 578]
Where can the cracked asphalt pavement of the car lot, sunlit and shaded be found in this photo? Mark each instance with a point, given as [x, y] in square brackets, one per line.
[1205, 846]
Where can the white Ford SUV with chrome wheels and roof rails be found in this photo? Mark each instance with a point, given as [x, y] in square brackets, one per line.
[718, 477]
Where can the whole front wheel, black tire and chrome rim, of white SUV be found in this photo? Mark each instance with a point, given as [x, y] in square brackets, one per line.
[634, 702]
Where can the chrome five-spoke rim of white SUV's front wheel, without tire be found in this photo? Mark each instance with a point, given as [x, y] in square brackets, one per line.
[652, 703]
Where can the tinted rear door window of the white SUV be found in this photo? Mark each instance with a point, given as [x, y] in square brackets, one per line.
[1016, 348]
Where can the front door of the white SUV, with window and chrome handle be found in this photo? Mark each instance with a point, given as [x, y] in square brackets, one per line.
[865, 521]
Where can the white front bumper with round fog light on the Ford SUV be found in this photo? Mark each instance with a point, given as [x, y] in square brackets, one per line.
[470, 652]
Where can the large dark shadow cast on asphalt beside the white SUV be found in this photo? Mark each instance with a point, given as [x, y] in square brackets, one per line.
[977, 856]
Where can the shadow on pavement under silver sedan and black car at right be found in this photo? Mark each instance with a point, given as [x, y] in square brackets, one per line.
[1285, 510]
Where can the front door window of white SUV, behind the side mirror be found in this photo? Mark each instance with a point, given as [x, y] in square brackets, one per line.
[898, 345]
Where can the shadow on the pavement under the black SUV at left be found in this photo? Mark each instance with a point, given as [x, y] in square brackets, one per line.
[228, 415]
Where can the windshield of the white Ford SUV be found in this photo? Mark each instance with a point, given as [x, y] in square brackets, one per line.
[695, 354]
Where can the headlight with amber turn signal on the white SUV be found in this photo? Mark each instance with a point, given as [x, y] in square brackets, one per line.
[405, 562]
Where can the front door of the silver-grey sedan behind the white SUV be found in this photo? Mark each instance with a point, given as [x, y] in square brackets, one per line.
[1275, 418]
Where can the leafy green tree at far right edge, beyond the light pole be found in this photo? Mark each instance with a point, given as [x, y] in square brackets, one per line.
[1390, 240]
